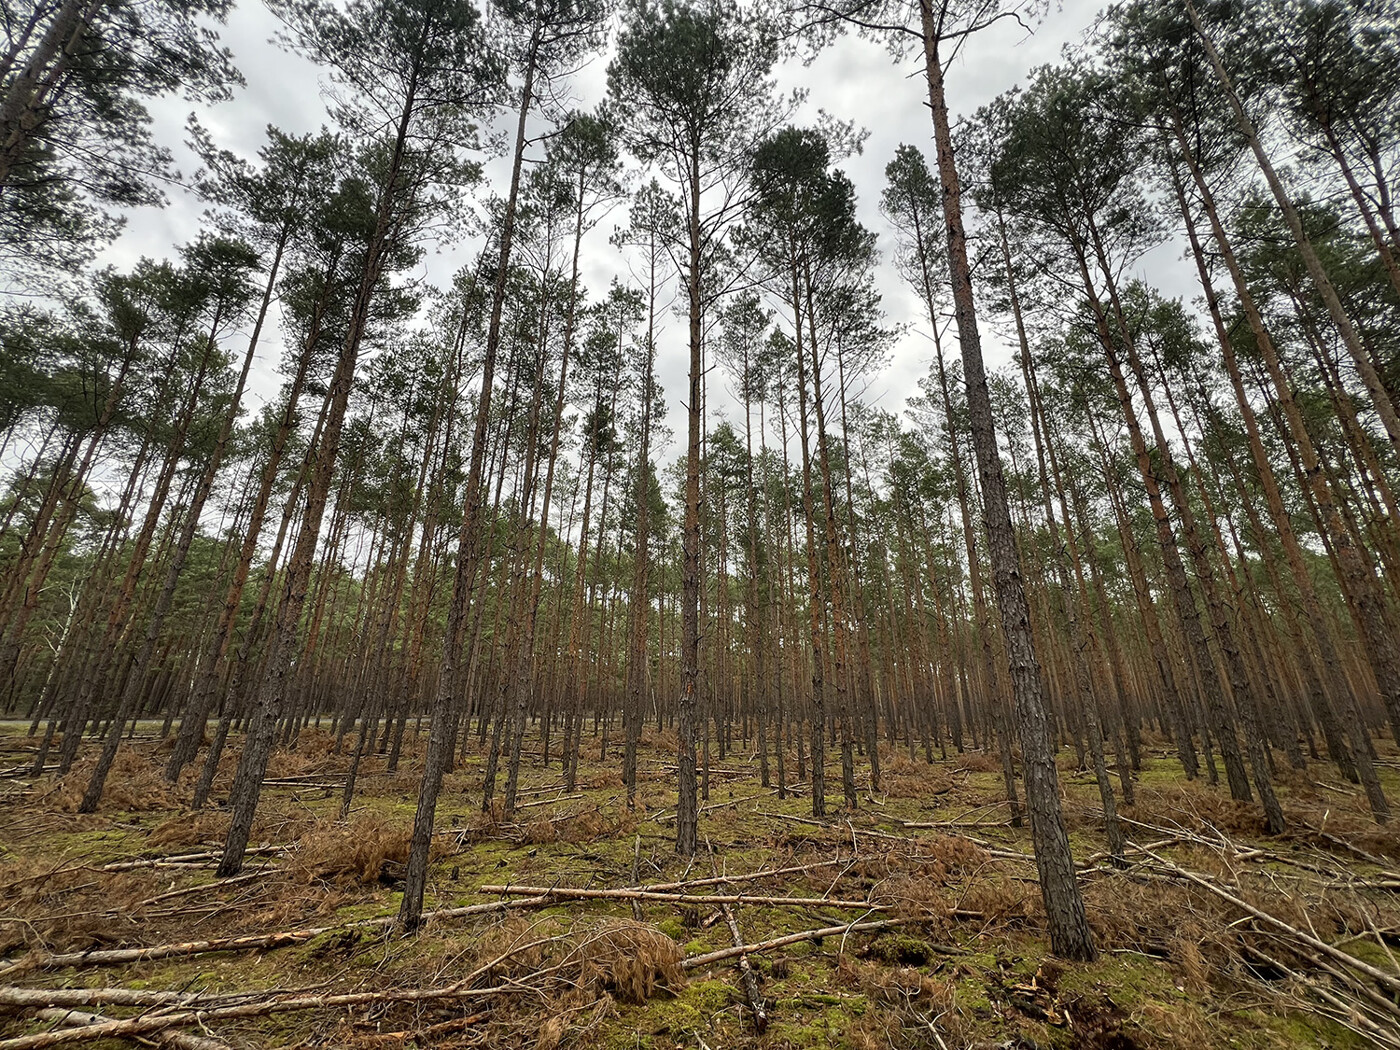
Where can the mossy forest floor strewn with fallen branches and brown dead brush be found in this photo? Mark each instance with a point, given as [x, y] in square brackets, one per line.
[1210, 936]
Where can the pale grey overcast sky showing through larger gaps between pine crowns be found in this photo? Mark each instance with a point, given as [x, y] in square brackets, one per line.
[855, 80]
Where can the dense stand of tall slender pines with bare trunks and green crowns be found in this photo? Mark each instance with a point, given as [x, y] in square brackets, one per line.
[1168, 519]
